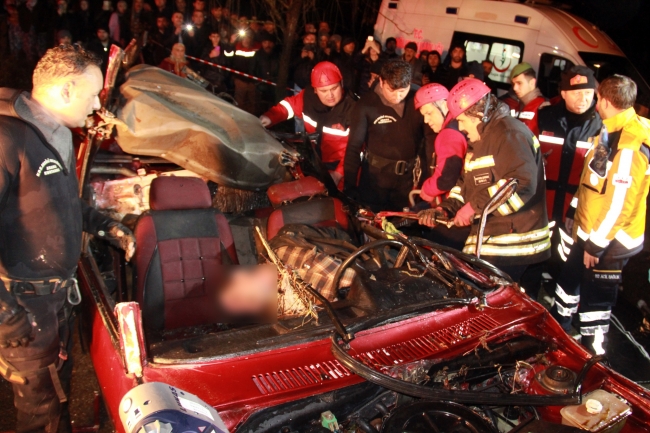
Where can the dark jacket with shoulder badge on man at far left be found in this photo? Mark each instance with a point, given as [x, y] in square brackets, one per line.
[41, 215]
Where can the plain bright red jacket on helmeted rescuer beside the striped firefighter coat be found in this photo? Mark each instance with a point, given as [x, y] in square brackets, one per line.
[450, 148]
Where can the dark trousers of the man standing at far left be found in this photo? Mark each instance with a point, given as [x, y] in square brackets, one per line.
[41, 401]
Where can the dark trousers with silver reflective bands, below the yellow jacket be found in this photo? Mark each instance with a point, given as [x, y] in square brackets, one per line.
[591, 293]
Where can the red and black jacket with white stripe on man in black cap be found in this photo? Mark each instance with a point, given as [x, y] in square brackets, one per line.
[565, 138]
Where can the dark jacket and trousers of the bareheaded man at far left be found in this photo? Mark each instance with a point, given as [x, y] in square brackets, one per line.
[41, 220]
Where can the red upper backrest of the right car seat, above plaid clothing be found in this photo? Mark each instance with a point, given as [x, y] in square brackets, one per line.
[322, 211]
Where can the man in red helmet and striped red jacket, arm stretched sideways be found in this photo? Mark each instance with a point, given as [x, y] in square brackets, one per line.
[325, 107]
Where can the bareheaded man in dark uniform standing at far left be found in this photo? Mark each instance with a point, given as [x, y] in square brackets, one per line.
[41, 220]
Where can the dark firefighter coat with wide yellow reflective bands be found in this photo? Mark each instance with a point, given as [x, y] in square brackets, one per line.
[517, 232]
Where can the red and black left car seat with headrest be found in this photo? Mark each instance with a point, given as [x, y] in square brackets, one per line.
[182, 245]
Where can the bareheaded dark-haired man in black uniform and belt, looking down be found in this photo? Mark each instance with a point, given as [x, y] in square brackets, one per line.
[386, 121]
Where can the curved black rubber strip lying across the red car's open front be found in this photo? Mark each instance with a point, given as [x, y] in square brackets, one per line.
[466, 397]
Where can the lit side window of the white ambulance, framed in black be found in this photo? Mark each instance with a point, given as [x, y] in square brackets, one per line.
[505, 54]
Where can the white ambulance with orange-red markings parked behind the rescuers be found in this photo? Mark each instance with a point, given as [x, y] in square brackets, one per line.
[508, 33]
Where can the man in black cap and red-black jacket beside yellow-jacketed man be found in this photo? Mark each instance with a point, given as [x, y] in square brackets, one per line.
[566, 129]
